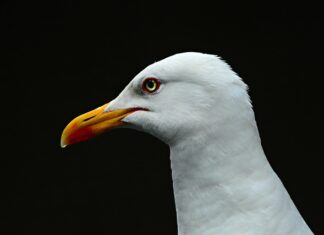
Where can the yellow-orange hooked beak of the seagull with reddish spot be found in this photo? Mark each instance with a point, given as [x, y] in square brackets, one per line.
[93, 123]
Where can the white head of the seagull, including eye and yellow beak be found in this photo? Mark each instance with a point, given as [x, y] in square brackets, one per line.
[172, 99]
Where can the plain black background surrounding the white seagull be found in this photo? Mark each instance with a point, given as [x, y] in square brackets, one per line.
[62, 58]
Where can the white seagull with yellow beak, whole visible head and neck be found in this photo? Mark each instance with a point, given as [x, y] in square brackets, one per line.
[222, 180]
